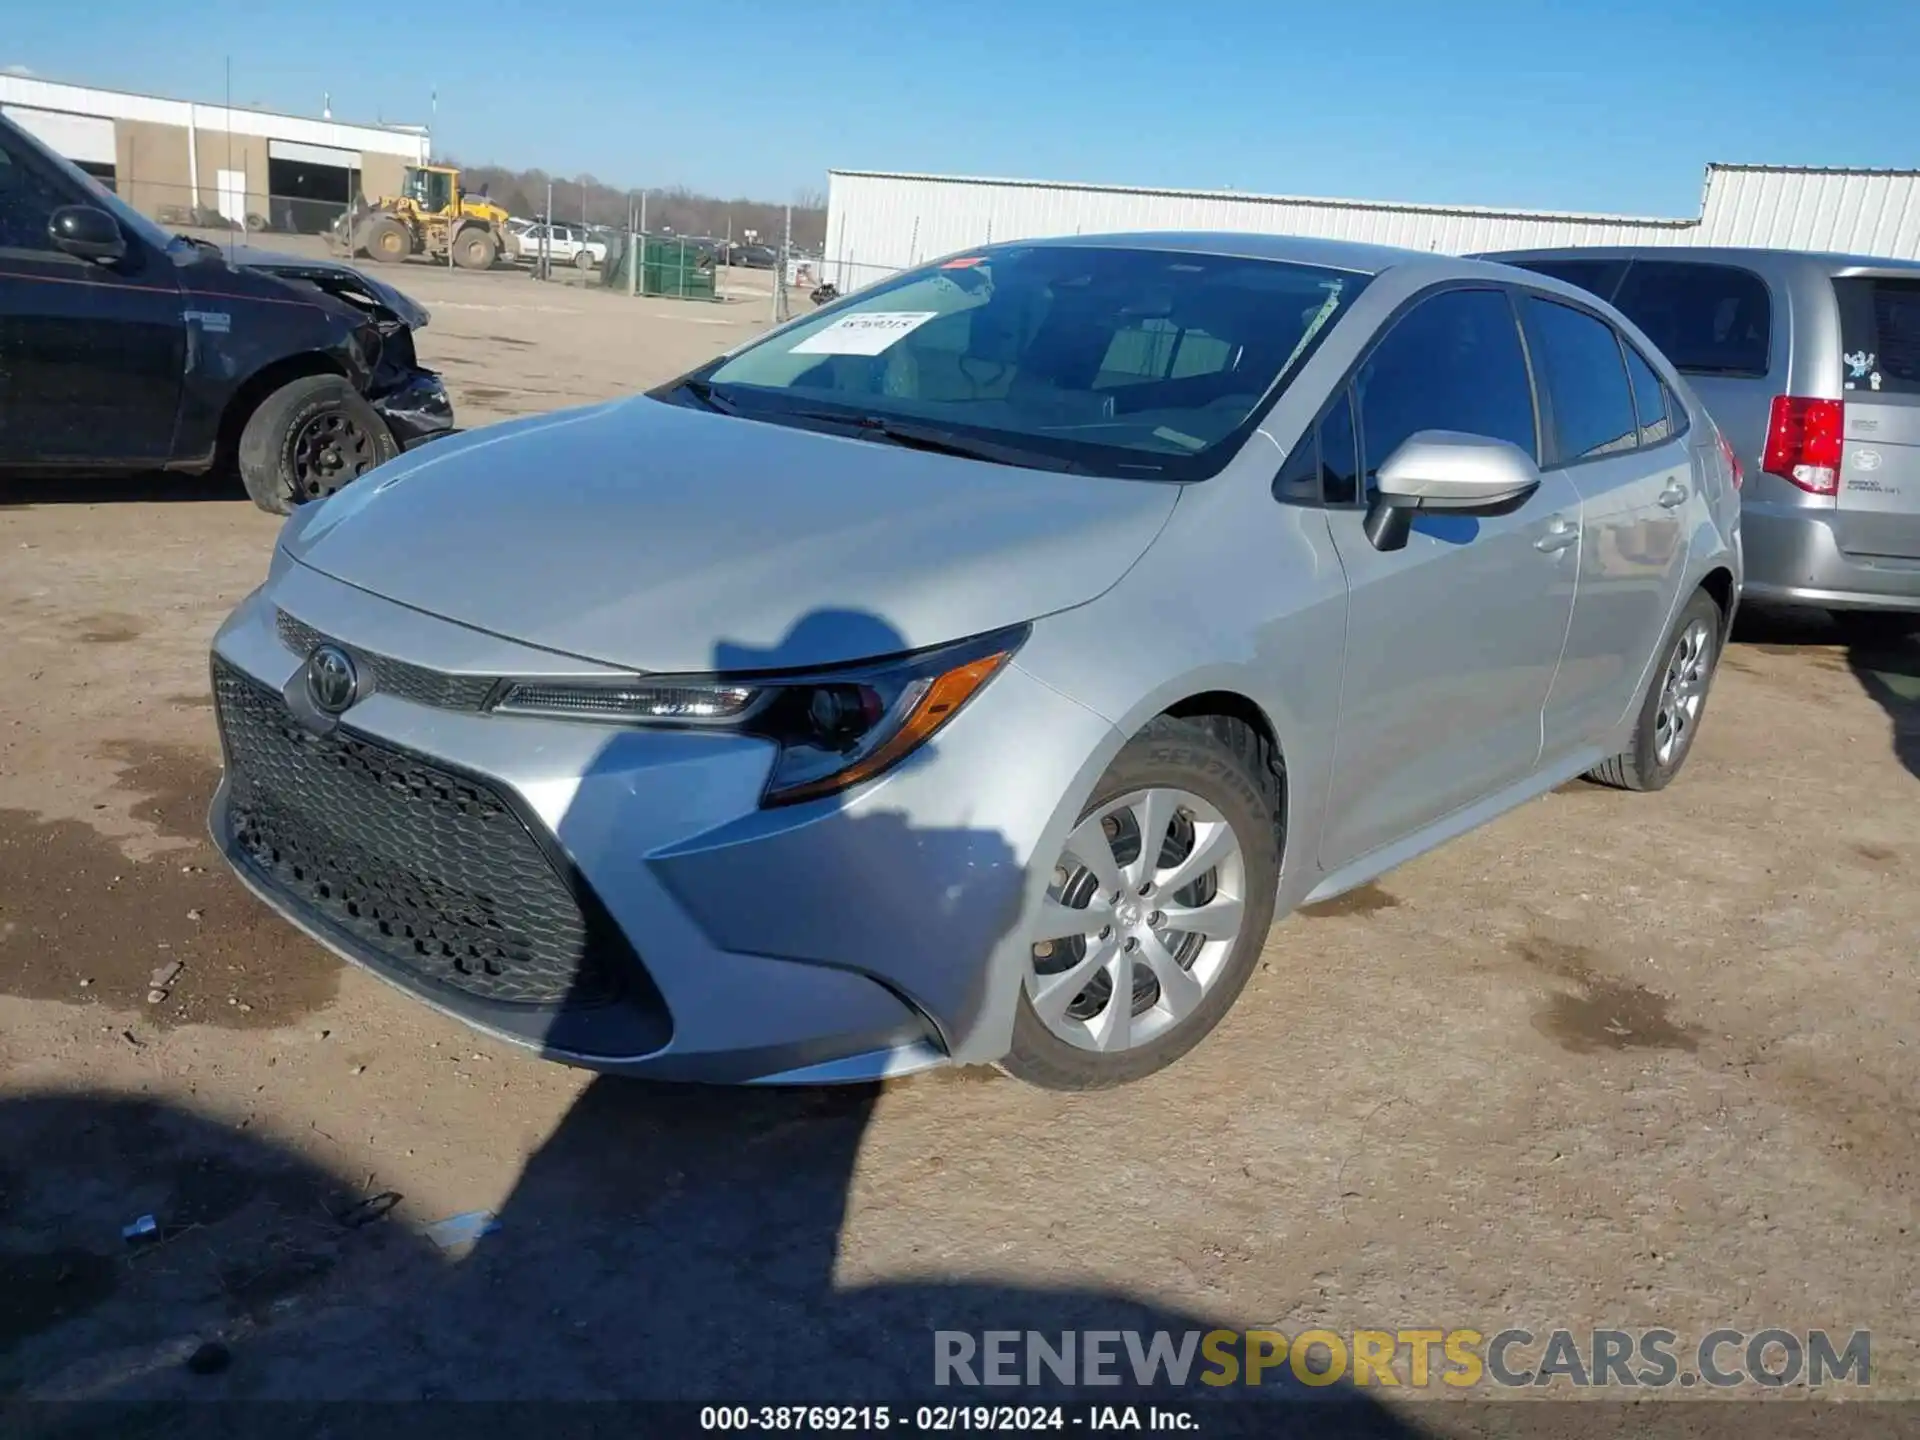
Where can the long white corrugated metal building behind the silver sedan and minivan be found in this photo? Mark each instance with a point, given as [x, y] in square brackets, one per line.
[880, 224]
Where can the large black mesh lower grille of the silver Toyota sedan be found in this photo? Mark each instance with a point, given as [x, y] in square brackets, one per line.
[423, 867]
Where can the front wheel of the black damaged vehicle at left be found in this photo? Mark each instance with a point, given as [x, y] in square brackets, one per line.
[308, 441]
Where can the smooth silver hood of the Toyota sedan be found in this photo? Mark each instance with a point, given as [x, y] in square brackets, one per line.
[660, 539]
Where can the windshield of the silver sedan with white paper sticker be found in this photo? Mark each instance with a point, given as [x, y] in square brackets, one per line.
[1107, 360]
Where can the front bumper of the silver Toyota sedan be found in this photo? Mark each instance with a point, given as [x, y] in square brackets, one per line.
[830, 942]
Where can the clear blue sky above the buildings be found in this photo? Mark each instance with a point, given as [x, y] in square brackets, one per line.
[1539, 105]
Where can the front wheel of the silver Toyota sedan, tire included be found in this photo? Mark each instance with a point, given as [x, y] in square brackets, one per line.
[1205, 777]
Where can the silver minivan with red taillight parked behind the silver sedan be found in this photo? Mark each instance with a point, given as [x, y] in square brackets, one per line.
[1812, 368]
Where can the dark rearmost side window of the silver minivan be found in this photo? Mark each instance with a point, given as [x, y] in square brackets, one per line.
[1708, 320]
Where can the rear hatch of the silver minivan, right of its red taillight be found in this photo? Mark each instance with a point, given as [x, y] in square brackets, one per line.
[1879, 508]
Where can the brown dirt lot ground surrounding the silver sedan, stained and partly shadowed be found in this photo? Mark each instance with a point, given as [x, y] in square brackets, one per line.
[1614, 1061]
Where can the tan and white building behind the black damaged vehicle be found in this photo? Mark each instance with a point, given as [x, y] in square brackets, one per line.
[287, 172]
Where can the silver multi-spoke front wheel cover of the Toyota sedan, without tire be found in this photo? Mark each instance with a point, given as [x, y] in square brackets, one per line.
[1140, 921]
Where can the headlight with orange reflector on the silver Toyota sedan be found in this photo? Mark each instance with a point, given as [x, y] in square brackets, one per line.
[834, 729]
